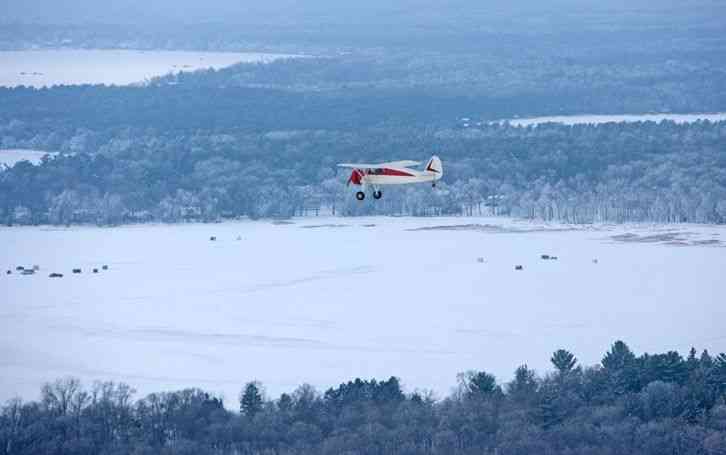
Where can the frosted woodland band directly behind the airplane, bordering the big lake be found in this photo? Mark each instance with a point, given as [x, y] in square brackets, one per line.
[664, 172]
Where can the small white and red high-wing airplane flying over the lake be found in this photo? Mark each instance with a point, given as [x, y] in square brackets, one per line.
[392, 173]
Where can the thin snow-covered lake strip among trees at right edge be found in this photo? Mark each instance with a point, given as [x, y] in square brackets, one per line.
[597, 119]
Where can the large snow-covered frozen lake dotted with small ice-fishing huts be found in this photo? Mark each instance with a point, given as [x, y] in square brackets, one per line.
[325, 300]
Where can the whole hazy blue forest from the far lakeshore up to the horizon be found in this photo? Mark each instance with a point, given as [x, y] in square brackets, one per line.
[380, 82]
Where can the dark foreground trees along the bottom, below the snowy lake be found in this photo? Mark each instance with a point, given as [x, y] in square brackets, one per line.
[627, 404]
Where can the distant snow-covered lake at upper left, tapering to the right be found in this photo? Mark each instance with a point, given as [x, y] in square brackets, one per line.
[40, 68]
